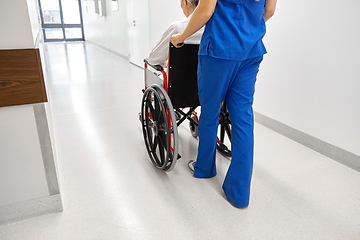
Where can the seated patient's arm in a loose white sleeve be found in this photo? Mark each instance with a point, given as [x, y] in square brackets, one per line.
[159, 54]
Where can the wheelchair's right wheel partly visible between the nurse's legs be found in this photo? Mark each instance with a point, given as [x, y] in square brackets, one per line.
[224, 132]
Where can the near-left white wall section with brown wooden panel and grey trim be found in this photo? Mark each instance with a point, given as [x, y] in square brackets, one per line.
[28, 177]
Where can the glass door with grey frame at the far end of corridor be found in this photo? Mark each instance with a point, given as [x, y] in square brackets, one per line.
[61, 20]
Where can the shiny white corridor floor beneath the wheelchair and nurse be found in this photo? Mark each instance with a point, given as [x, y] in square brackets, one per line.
[110, 189]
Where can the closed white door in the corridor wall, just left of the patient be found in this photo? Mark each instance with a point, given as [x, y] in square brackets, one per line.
[138, 22]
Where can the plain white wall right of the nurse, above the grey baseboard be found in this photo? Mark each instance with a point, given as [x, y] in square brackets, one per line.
[310, 79]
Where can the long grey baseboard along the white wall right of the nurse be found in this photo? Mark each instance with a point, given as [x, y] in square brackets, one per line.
[340, 155]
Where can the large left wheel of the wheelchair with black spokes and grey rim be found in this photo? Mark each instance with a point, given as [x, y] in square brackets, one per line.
[159, 128]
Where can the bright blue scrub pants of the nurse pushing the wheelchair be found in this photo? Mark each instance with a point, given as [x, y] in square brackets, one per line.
[234, 80]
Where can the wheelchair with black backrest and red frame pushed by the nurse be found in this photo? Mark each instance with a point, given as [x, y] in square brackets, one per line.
[168, 100]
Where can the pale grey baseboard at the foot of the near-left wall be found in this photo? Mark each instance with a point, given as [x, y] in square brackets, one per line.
[33, 208]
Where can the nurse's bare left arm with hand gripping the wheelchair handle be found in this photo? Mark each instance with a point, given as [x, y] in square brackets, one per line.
[200, 17]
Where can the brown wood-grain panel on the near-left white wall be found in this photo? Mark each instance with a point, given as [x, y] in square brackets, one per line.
[21, 77]
